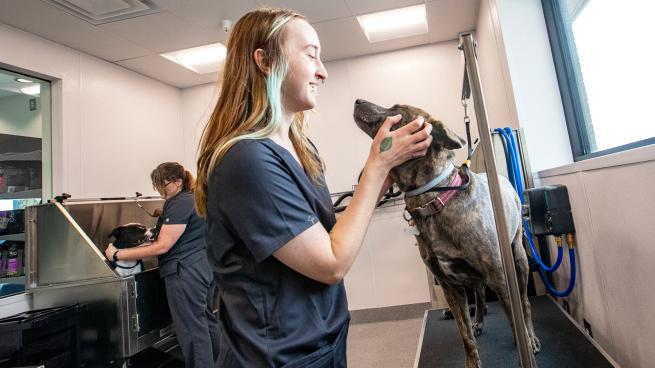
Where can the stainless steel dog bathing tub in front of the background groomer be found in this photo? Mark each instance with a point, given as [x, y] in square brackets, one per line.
[121, 316]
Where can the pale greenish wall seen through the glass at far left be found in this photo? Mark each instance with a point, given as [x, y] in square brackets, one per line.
[16, 117]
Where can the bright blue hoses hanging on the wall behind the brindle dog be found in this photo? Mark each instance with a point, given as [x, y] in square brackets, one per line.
[514, 174]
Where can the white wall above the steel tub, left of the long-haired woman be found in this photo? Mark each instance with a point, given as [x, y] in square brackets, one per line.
[111, 126]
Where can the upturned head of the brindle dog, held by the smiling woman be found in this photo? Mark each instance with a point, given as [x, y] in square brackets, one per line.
[369, 118]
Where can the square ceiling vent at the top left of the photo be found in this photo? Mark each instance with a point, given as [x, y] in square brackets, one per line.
[99, 12]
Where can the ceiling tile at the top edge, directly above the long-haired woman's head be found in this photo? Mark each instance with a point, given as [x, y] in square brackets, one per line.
[314, 10]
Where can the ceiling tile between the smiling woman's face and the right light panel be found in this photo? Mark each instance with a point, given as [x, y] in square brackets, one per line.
[341, 38]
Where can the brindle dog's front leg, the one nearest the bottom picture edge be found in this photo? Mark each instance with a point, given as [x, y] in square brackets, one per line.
[456, 297]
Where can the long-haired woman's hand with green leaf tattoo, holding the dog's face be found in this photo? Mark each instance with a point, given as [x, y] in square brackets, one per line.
[392, 148]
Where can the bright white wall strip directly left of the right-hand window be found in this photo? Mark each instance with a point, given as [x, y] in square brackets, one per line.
[534, 83]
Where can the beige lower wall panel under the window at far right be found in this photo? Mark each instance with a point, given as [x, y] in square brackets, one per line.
[615, 222]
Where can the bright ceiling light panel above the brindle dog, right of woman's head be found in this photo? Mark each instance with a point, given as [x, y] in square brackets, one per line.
[392, 24]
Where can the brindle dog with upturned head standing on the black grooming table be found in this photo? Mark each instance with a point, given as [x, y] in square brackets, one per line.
[459, 244]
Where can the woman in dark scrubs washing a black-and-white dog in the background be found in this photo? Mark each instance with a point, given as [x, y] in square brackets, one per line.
[183, 265]
